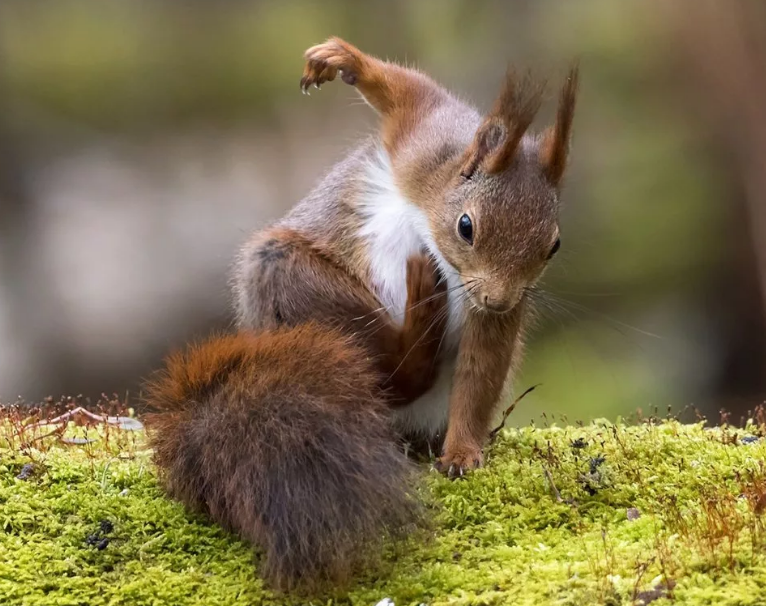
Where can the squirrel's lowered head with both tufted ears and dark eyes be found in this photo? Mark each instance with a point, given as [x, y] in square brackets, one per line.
[499, 226]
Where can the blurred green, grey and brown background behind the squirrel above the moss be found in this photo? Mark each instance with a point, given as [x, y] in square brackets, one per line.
[140, 142]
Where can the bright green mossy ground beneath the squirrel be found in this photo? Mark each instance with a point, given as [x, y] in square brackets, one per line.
[545, 522]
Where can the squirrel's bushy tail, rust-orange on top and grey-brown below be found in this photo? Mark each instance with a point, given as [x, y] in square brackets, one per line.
[283, 438]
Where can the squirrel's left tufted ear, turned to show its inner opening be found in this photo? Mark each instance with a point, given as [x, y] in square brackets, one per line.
[495, 143]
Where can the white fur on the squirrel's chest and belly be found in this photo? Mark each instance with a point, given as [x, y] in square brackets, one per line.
[395, 229]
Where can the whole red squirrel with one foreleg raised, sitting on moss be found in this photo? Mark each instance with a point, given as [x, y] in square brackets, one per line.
[389, 305]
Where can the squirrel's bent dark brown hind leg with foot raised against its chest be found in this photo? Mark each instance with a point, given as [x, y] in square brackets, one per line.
[298, 281]
